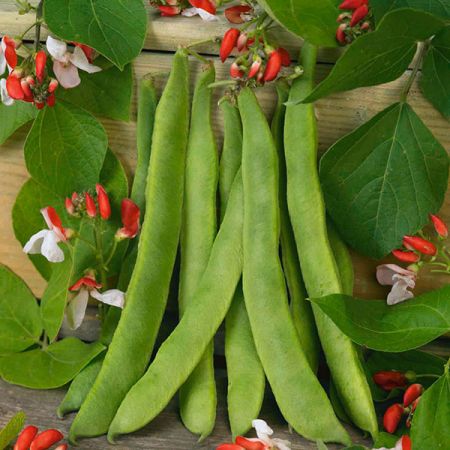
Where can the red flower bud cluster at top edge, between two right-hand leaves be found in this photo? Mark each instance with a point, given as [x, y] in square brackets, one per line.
[354, 22]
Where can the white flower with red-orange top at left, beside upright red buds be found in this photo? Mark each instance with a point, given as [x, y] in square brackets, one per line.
[45, 242]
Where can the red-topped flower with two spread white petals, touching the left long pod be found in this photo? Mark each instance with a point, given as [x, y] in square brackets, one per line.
[87, 286]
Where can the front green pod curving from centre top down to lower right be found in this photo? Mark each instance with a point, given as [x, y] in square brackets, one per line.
[298, 393]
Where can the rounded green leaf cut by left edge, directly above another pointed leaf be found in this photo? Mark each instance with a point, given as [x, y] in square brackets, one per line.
[20, 324]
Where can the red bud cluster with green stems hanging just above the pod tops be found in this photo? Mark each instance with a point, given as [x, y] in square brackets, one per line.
[257, 59]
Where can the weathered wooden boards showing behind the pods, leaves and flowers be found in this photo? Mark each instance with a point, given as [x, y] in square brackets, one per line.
[337, 115]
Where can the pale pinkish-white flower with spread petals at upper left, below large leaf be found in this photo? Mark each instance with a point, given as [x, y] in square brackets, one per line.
[66, 64]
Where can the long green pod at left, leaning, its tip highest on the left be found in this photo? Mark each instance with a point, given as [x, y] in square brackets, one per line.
[146, 297]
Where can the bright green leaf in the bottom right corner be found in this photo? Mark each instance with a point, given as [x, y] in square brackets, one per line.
[431, 423]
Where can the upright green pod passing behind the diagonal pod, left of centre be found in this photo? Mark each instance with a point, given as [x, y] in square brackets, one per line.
[198, 397]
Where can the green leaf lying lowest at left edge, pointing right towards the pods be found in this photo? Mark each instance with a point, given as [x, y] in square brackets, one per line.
[51, 367]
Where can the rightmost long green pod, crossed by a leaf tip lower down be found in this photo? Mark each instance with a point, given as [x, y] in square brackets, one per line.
[320, 273]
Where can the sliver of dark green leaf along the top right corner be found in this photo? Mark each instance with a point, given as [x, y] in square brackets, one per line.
[440, 8]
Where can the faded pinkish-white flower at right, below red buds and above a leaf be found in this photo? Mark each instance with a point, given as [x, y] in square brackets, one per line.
[400, 279]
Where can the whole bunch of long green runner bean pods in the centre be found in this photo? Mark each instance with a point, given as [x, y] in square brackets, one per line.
[269, 196]
